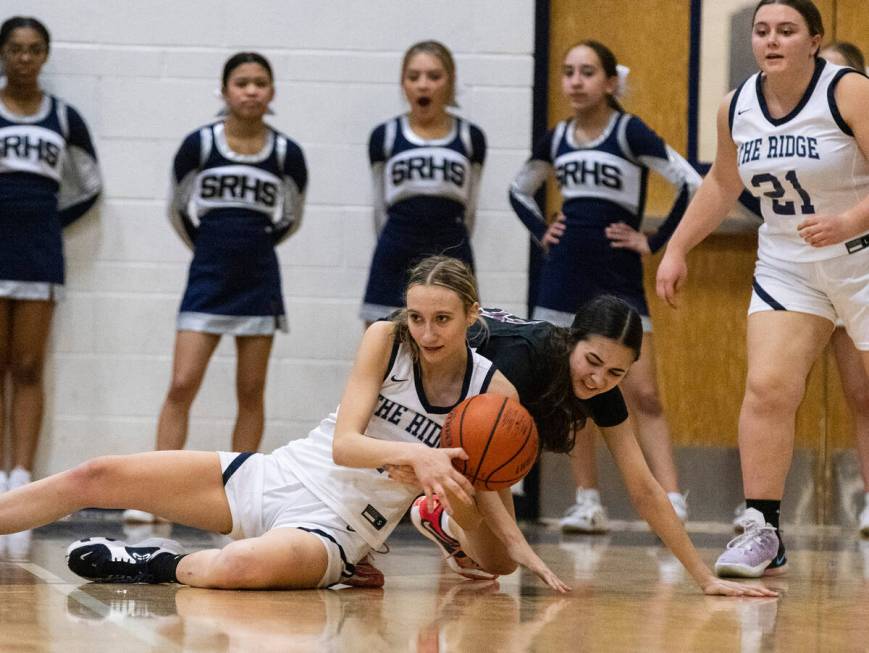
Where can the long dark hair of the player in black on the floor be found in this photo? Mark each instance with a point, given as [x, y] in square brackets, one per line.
[558, 412]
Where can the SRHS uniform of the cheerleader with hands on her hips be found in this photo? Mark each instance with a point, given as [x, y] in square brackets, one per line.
[601, 182]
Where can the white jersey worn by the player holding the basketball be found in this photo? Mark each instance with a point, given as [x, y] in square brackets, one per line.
[367, 499]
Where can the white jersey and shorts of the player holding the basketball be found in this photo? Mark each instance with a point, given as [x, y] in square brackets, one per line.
[352, 509]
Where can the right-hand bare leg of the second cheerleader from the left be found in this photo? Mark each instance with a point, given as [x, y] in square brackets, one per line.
[250, 380]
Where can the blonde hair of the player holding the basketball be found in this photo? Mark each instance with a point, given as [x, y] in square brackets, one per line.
[443, 271]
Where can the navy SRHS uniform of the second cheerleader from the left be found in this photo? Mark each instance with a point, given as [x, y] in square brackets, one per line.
[232, 210]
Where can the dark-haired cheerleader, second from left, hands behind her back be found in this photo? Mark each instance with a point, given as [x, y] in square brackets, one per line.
[238, 191]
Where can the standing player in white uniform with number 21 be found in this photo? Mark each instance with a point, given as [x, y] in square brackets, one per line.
[796, 135]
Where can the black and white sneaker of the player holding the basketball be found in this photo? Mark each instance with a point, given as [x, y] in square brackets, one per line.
[111, 561]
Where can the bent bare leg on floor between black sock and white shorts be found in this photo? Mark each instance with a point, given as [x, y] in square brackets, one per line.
[285, 558]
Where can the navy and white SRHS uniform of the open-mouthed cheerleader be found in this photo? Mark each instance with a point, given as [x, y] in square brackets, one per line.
[425, 194]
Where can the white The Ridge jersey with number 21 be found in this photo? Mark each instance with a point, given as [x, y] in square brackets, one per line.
[805, 163]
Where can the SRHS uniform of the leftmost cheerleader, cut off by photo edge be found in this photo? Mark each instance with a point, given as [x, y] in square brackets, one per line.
[48, 179]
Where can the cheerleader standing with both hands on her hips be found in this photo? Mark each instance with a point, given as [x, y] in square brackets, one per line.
[601, 159]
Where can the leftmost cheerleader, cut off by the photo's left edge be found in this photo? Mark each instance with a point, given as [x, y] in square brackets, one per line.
[48, 179]
